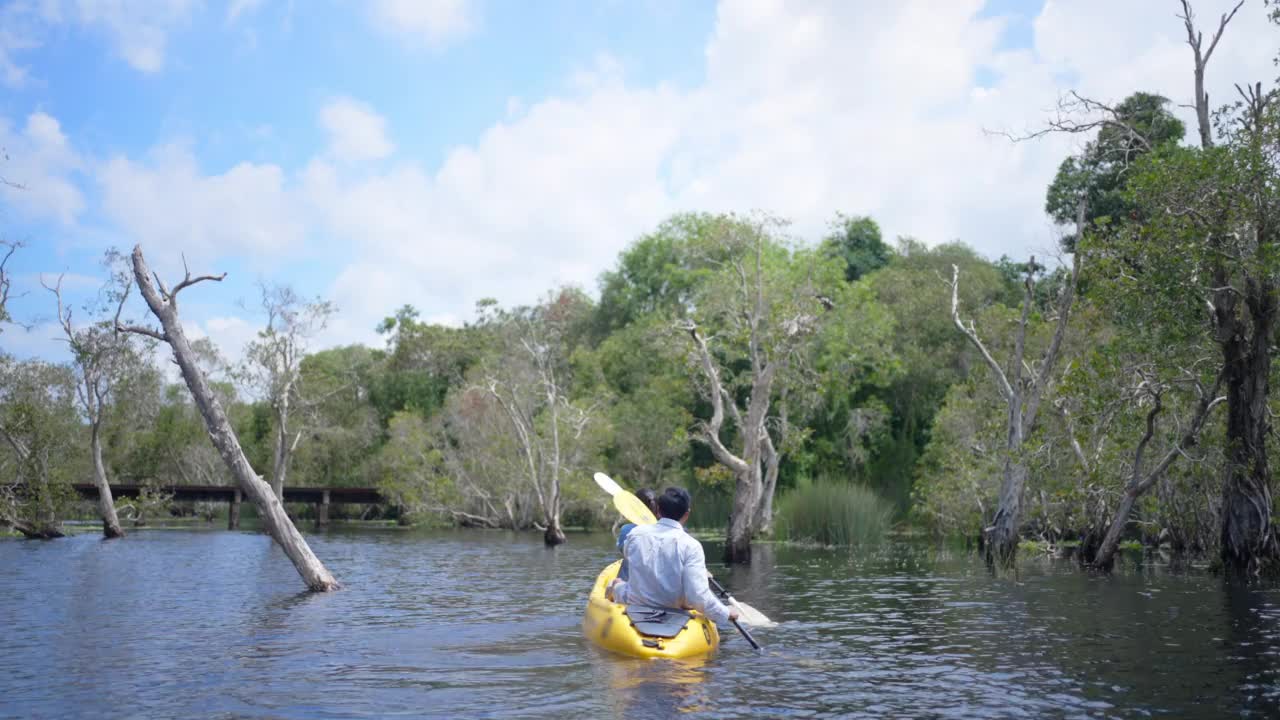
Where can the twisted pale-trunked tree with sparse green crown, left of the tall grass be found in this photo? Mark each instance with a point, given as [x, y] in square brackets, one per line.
[760, 309]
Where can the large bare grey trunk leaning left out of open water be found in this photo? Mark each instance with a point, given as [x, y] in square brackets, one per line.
[164, 306]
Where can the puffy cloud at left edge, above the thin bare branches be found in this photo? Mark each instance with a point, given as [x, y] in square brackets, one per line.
[39, 170]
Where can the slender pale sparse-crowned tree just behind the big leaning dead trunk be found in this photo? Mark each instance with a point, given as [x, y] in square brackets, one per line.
[273, 367]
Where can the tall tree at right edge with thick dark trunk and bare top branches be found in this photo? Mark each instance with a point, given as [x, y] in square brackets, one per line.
[1209, 239]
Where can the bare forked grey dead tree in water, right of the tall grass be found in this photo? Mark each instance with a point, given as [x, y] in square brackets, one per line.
[1022, 394]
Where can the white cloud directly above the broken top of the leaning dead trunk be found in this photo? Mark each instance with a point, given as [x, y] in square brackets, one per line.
[170, 207]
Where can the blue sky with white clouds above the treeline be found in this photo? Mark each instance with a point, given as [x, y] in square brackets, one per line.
[436, 153]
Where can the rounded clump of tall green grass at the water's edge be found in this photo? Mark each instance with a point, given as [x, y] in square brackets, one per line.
[833, 513]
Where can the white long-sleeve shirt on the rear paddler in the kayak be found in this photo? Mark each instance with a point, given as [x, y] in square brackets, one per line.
[668, 569]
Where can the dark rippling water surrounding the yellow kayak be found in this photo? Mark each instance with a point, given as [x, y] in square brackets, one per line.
[474, 625]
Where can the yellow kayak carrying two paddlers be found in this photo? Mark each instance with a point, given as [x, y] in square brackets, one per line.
[646, 632]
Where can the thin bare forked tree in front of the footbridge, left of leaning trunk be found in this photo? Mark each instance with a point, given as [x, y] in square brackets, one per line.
[98, 356]
